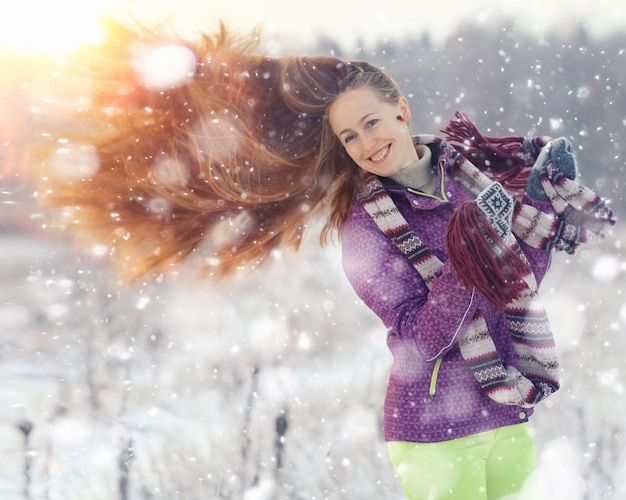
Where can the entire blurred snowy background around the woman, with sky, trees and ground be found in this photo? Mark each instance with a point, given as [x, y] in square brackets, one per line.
[271, 386]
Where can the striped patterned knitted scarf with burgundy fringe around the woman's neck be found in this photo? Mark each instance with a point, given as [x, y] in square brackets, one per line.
[491, 259]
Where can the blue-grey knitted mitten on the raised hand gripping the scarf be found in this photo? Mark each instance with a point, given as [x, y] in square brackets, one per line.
[557, 156]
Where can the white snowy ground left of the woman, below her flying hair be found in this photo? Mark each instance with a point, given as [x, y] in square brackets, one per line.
[196, 377]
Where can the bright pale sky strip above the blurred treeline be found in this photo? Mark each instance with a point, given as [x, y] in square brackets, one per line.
[44, 25]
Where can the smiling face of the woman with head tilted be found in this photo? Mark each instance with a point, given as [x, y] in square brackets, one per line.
[370, 131]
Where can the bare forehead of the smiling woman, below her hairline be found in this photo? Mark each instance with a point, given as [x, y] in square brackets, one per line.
[351, 106]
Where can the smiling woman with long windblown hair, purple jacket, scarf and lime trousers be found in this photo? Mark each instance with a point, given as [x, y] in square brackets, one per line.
[241, 155]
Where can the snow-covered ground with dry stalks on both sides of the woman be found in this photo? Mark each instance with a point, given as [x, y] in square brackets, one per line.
[268, 386]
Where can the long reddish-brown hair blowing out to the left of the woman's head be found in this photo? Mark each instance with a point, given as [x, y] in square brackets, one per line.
[237, 159]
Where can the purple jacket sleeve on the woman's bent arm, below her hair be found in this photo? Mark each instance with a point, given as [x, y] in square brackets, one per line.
[428, 322]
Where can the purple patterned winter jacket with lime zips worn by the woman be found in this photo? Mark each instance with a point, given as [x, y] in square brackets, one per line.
[431, 395]
